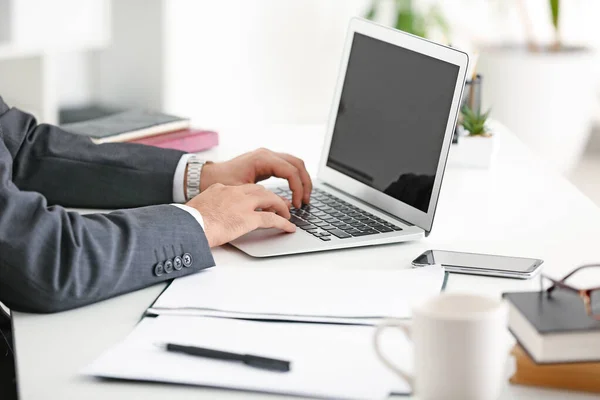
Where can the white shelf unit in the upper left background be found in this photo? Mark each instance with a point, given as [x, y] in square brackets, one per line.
[41, 44]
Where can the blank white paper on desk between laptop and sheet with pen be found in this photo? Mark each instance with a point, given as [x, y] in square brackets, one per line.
[297, 292]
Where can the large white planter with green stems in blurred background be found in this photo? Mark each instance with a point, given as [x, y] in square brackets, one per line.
[543, 92]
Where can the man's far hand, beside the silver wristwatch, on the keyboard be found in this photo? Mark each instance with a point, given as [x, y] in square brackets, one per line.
[257, 166]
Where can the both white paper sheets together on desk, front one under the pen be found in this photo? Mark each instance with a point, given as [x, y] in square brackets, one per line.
[334, 359]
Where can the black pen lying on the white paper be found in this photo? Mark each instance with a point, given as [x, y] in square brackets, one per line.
[270, 364]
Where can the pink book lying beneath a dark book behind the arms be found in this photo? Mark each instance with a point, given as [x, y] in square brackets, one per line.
[188, 140]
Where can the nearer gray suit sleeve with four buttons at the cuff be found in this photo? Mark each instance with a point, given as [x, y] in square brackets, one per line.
[53, 260]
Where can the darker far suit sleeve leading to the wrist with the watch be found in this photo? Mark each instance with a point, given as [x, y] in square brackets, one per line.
[72, 171]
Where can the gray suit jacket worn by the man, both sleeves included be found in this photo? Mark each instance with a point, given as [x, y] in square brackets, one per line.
[53, 260]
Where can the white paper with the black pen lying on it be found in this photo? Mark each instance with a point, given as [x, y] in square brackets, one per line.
[327, 361]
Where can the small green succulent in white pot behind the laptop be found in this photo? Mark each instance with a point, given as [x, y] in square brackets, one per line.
[476, 145]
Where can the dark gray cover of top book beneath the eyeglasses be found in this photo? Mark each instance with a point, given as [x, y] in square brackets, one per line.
[561, 312]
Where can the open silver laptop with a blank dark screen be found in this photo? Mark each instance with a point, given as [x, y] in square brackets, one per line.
[389, 133]
